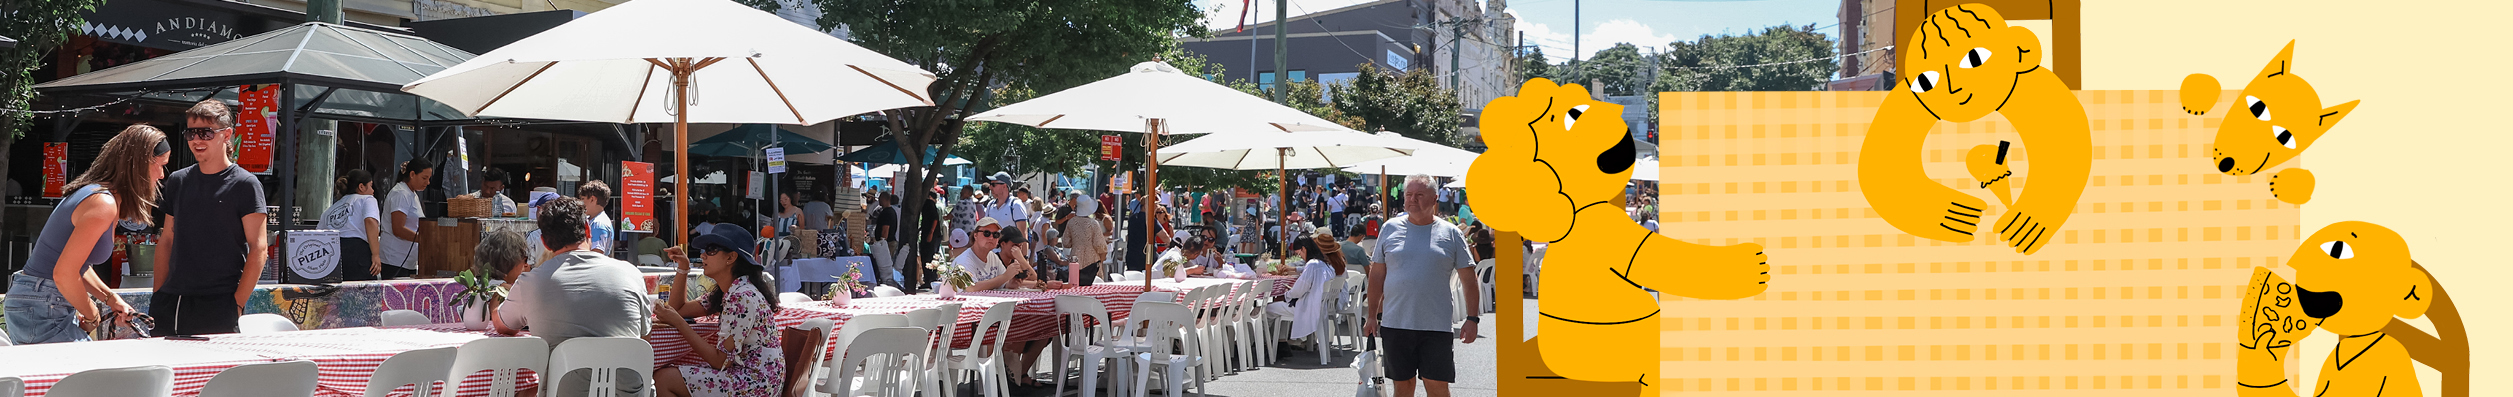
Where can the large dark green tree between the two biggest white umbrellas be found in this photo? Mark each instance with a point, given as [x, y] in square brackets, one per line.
[979, 46]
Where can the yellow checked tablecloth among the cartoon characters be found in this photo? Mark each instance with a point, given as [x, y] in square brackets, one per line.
[2135, 298]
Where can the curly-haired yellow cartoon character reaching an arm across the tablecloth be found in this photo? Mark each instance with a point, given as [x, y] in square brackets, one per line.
[1554, 170]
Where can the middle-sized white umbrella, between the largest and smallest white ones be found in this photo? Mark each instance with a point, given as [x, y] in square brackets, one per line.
[1157, 99]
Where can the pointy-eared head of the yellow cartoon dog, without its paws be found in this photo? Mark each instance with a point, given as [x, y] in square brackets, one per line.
[2276, 119]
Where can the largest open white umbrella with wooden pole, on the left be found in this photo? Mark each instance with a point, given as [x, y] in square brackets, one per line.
[680, 62]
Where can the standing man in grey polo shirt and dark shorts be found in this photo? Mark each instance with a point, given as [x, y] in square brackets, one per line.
[1409, 293]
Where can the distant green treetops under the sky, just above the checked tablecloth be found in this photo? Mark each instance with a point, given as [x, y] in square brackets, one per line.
[1703, 64]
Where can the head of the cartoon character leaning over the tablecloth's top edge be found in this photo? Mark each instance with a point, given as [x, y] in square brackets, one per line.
[1966, 62]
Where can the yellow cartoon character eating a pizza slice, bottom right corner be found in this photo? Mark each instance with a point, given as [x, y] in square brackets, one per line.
[2353, 280]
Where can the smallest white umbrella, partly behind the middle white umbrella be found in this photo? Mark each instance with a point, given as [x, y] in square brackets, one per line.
[1311, 150]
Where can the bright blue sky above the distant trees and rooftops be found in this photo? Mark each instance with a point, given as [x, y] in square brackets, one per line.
[1605, 21]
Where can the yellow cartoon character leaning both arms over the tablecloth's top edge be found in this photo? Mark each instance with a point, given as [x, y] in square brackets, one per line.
[1966, 64]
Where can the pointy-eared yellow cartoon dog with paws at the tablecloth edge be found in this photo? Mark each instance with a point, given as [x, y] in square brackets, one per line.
[2281, 117]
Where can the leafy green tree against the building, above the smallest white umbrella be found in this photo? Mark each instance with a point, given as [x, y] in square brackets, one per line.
[1411, 104]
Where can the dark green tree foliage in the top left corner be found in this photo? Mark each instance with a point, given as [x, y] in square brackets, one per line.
[39, 26]
